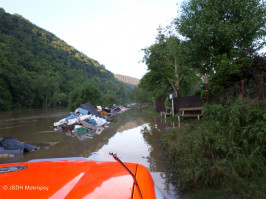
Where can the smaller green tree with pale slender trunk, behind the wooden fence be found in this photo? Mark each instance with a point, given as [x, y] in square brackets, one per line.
[166, 66]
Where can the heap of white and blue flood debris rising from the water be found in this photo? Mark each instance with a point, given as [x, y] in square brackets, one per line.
[88, 121]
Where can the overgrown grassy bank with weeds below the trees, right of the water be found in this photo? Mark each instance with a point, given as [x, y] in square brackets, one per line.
[223, 155]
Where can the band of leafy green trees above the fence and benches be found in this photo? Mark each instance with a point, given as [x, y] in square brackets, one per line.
[210, 42]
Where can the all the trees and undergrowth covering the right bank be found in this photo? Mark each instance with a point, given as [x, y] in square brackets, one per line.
[214, 45]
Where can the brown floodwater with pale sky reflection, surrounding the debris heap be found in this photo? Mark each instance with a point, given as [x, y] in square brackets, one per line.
[135, 137]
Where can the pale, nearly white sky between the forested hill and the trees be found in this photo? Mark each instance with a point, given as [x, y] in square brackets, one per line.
[113, 32]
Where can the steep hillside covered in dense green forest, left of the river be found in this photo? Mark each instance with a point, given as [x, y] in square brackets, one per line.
[37, 69]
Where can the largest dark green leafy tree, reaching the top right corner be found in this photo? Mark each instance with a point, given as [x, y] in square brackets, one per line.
[217, 36]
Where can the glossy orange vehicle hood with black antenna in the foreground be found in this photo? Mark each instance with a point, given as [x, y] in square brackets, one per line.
[78, 178]
